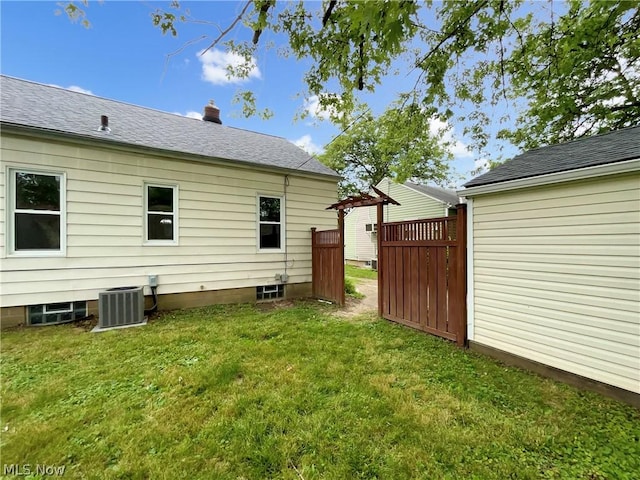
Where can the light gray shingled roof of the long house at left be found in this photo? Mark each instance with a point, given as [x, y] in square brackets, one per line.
[58, 110]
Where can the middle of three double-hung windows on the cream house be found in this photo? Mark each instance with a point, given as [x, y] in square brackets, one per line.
[160, 213]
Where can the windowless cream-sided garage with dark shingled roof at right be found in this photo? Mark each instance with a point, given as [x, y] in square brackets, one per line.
[554, 260]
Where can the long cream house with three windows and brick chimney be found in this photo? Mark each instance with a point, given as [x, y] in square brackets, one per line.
[96, 194]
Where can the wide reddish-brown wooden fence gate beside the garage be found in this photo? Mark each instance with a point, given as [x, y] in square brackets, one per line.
[422, 275]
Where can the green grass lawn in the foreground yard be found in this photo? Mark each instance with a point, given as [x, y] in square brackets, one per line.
[253, 392]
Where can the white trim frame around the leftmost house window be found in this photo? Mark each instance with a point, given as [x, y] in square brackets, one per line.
[11, 208]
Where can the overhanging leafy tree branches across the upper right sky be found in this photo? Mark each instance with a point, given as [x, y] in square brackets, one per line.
[559, 70]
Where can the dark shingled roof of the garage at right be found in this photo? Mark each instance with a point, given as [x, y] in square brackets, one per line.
[609, 147]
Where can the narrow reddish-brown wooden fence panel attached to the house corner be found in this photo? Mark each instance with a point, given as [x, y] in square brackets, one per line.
[327, 258]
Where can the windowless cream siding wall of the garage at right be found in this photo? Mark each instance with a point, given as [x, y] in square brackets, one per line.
[557, 276]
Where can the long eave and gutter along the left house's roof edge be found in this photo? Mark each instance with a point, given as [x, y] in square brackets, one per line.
[110, 143]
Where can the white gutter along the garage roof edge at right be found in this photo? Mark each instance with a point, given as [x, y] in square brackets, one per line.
[626, 166]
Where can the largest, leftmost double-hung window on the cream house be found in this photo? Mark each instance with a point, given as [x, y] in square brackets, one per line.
[37, 207]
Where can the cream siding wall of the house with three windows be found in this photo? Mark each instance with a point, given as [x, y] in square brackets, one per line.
[217, 218]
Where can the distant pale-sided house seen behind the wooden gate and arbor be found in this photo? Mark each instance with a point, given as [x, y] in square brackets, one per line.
[416, 202]
